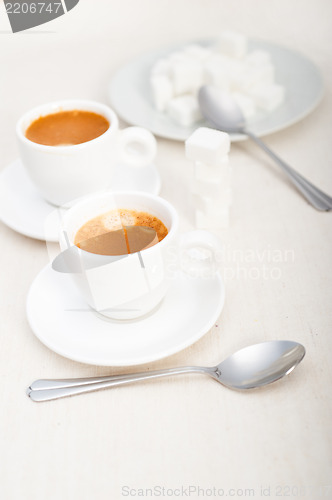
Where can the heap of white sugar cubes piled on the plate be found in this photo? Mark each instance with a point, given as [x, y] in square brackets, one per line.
[248, 75]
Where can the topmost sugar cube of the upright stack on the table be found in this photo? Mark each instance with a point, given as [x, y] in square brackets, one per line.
[208, 146]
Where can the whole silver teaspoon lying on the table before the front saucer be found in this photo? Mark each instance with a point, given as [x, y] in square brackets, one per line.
[251, 367]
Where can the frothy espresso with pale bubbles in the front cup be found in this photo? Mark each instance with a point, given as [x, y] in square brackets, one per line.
[120, 232]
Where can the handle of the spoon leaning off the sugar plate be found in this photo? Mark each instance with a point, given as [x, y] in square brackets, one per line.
[315, 196]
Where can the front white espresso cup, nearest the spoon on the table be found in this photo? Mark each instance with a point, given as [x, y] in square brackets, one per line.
[132, 285]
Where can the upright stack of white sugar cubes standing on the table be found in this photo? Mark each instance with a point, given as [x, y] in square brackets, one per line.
[208, 149]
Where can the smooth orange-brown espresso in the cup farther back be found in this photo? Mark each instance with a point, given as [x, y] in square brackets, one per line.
[67, 128]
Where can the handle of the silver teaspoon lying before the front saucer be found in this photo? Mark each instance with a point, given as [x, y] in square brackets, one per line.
[46, 390]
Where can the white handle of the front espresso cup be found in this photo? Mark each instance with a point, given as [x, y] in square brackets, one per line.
[199, 253]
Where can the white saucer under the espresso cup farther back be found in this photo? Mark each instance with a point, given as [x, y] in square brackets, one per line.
[23, 209]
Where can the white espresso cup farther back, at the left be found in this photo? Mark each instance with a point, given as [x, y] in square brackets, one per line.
[64, 173]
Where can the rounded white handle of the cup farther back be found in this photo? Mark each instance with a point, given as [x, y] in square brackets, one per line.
[137, 146]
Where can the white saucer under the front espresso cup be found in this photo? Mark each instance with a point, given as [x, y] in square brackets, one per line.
[63, 322]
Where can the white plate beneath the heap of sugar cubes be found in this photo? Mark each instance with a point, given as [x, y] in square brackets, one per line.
[130, 95]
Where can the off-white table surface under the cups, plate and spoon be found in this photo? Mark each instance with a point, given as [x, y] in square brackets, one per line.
[179, 431]
